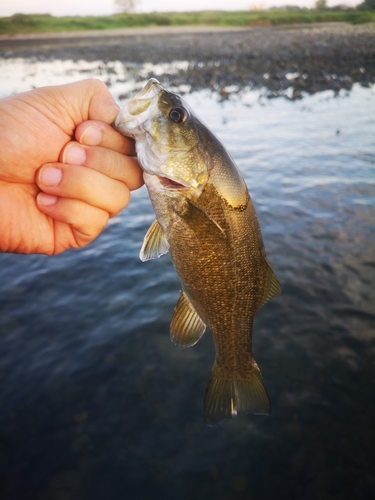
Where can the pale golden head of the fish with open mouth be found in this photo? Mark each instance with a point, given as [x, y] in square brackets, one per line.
[167, 136]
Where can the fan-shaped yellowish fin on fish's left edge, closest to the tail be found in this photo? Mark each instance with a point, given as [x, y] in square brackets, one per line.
[186, 326]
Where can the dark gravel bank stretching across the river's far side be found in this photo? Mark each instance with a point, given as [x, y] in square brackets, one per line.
[306, 58]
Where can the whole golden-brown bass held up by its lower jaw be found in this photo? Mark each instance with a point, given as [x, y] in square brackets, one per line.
[206, 220]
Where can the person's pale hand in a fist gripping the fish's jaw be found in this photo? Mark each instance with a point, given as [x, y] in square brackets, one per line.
[64, 171]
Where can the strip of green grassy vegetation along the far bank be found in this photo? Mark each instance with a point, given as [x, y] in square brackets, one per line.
[45, 23]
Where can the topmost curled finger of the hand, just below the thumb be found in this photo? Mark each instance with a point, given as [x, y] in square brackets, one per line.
[97, 133]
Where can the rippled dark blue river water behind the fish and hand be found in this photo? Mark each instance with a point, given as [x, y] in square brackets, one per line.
[95, 400]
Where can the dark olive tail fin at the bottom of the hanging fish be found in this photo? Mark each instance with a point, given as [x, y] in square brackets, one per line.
[225, 397]
